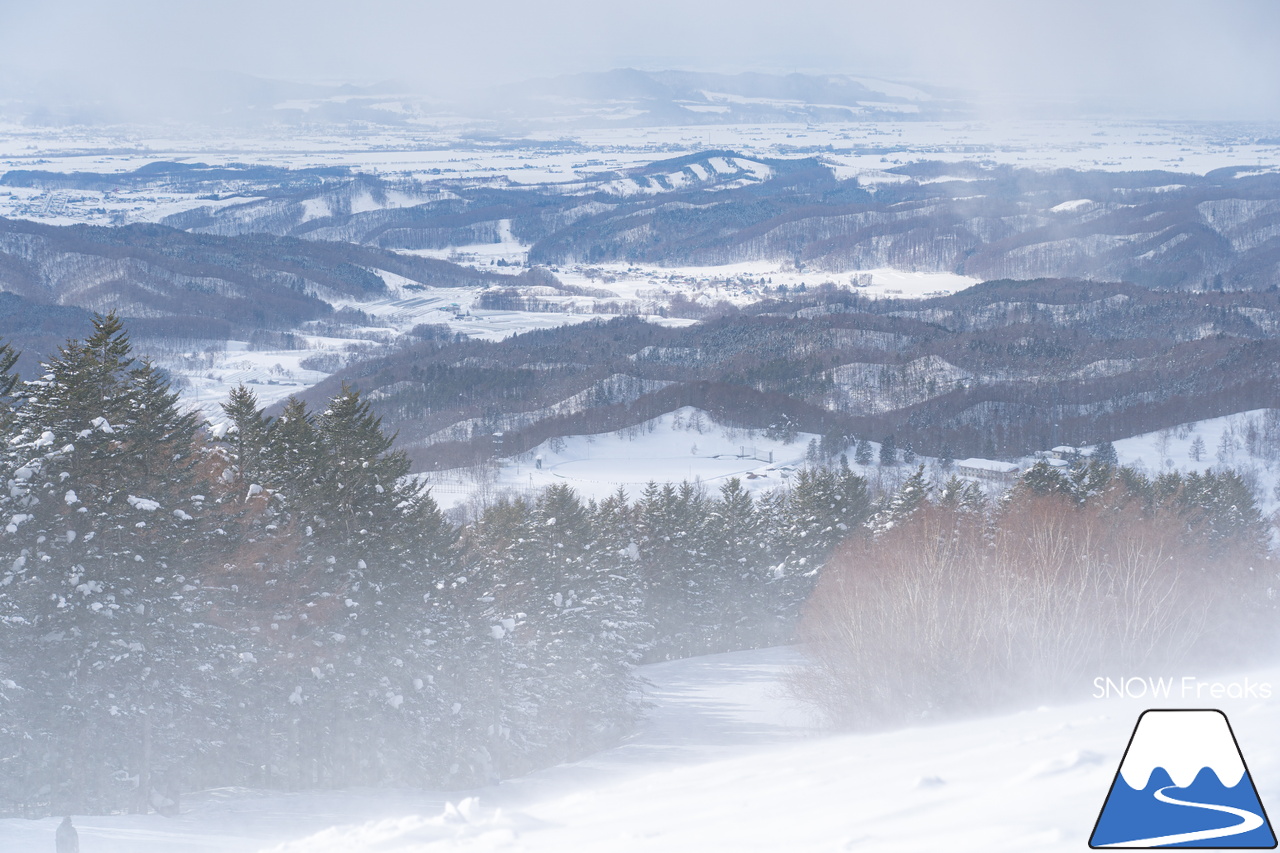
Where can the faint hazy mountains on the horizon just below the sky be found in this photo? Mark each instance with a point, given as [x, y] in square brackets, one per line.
[615, 98]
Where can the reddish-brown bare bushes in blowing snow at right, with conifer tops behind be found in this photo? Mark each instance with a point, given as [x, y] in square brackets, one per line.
[954, 606]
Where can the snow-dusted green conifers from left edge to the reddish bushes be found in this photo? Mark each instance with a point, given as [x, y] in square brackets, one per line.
[273, 603]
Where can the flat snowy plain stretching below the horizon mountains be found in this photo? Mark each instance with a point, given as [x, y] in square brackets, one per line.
[447, 152]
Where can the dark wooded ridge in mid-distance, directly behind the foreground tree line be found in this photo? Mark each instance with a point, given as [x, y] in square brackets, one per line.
[1000, 370]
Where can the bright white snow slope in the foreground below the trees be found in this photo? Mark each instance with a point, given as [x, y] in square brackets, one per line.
[728, 763]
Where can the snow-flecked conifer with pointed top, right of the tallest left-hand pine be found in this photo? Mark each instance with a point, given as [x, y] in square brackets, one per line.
[353, 564]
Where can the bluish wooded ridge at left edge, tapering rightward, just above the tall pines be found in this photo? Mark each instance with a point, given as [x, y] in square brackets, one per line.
[172, 284]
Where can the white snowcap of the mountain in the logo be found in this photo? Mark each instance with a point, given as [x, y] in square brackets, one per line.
[1183, 743]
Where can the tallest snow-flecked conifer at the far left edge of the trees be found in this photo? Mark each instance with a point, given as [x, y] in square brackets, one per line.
[103, 559]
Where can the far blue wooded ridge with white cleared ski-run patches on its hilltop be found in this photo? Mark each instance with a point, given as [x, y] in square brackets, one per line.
[1162, 230]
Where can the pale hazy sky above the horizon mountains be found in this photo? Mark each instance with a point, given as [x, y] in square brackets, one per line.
[1168, 57]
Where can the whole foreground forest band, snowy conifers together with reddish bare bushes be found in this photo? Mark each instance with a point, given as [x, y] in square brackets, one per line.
[275, 604]
